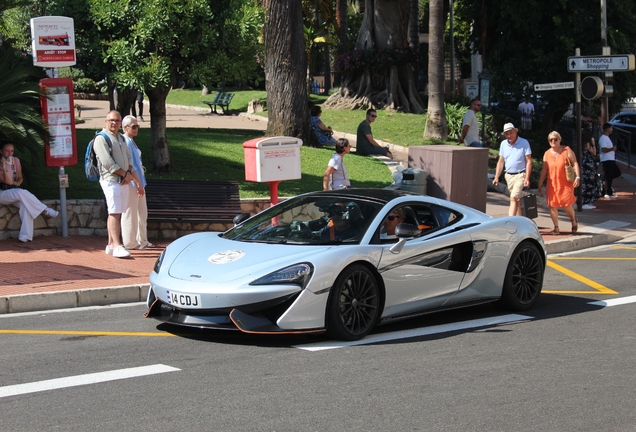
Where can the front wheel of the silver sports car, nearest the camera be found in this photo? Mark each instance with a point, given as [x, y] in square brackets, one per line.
[353, 305]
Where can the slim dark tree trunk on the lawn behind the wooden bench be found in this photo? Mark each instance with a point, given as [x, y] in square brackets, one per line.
[160, 154]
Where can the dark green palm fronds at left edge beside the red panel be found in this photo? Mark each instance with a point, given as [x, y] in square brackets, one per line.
[20, 121]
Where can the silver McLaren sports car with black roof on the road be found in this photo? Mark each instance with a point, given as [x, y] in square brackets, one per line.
[345, 261]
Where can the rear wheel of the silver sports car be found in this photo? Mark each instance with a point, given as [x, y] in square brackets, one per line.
[524, 278]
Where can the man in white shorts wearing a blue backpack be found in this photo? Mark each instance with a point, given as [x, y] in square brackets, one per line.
[115, 165]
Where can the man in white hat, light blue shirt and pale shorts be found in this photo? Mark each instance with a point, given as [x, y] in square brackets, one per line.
[516, 155]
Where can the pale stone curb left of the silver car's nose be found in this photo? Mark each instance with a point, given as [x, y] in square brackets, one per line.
[73, 299]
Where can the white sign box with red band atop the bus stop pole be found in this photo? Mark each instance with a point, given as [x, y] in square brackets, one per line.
[53, 41]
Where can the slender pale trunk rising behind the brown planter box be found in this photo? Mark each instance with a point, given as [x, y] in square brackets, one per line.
[436, 126]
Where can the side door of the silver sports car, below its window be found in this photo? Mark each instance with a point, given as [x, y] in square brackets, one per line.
[427, 271]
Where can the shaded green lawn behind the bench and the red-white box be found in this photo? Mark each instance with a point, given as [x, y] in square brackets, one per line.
[208, 154]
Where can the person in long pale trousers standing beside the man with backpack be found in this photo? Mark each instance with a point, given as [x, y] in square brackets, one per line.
[133, 220]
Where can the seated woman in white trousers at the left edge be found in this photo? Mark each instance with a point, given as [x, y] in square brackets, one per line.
[11, 193]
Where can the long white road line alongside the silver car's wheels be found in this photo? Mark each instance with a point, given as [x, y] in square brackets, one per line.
[422, 331]
